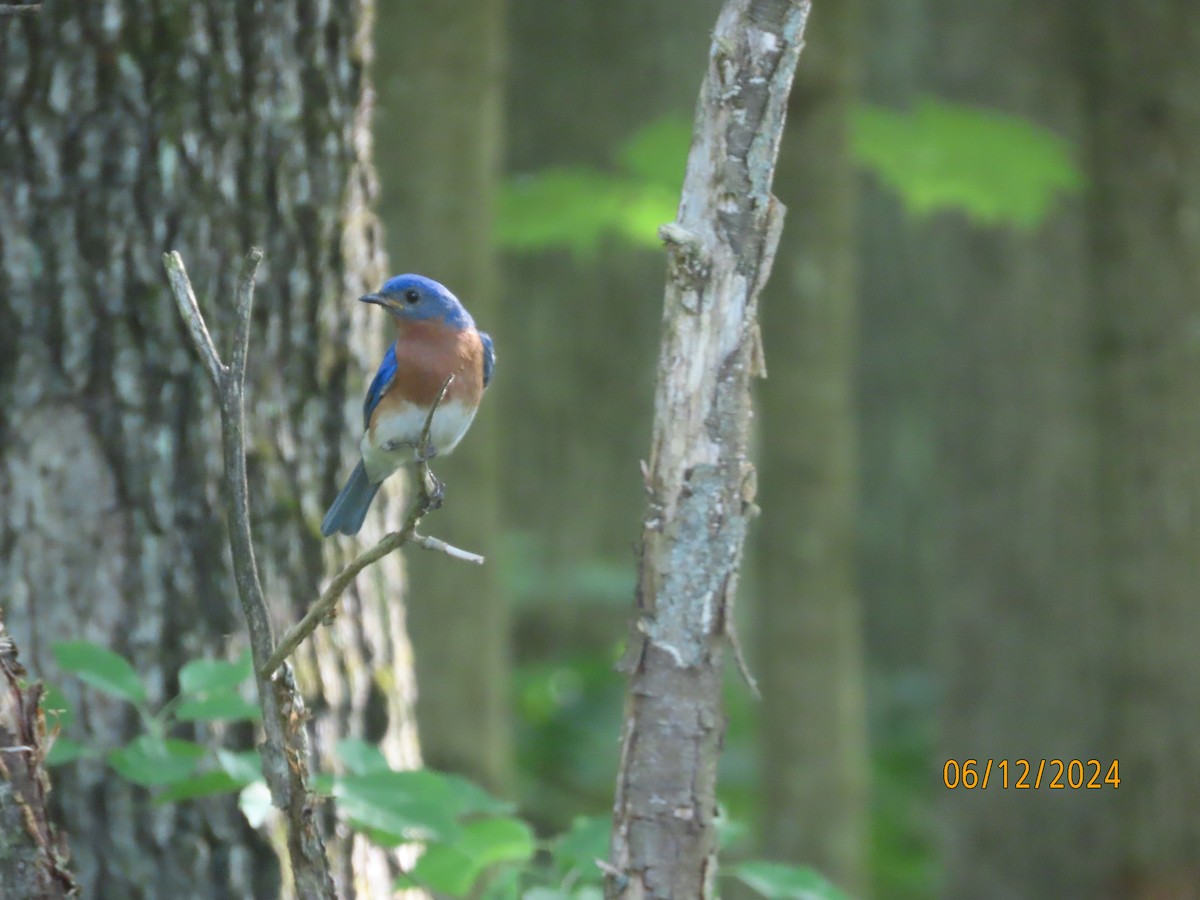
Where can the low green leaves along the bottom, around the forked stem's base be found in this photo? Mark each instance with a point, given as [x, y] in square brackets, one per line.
[472, 843]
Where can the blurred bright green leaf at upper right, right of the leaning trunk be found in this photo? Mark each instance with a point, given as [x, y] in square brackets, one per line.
[999, 170]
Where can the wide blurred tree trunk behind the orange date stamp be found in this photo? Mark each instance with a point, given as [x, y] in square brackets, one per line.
[1019, 635]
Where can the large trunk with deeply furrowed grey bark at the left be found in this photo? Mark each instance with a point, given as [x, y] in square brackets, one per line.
[135, 129]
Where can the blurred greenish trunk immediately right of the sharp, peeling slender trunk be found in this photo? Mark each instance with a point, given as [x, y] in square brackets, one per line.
[809, 623]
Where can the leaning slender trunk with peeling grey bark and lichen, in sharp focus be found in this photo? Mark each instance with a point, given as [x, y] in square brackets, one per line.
[699, 481]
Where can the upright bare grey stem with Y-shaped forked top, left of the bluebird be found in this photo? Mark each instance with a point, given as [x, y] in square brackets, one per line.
[285, 747]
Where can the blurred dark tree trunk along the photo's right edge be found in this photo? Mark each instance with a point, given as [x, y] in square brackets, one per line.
[1143, 64]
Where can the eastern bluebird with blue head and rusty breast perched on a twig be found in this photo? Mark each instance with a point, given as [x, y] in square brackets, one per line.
[436, 338]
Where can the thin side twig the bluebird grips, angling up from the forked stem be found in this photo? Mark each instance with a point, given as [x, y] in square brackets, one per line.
[427, 500]
